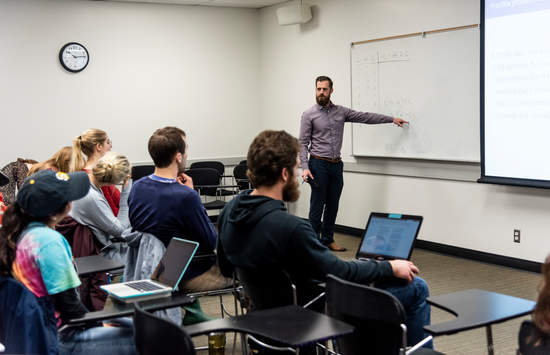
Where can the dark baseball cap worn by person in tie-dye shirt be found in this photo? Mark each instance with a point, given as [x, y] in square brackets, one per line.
[48, 191]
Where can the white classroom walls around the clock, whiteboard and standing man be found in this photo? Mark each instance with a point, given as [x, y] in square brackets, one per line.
[223, 74]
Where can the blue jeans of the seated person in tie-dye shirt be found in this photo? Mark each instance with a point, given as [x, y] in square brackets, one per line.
[99, 340]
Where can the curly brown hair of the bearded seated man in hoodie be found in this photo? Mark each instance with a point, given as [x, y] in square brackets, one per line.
[269, 153]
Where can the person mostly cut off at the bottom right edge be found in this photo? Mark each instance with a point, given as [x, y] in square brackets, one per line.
[534, 336]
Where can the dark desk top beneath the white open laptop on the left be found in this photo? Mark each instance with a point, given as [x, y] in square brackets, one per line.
[117, 309]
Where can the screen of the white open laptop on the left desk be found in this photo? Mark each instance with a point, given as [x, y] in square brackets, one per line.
[175, 261]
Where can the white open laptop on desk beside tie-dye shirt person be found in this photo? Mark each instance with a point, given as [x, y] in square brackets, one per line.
[166, 277]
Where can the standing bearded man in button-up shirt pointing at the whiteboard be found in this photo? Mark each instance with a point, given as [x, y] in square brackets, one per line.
[321, 134]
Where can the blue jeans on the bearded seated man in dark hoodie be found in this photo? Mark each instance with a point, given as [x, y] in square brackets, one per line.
[413, 298]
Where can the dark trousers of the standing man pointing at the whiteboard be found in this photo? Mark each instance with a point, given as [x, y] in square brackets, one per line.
[325, 197]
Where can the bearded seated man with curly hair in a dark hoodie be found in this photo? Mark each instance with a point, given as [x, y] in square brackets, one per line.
[257, 232]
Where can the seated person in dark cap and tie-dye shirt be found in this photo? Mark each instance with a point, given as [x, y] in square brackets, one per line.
[40, 258]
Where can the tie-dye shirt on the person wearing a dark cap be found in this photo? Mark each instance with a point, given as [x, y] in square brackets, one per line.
[43, 261]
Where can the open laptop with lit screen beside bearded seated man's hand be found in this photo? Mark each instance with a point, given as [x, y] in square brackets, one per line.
[389, 236]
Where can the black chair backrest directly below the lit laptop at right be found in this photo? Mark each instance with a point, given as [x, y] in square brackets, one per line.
[376, 315]
